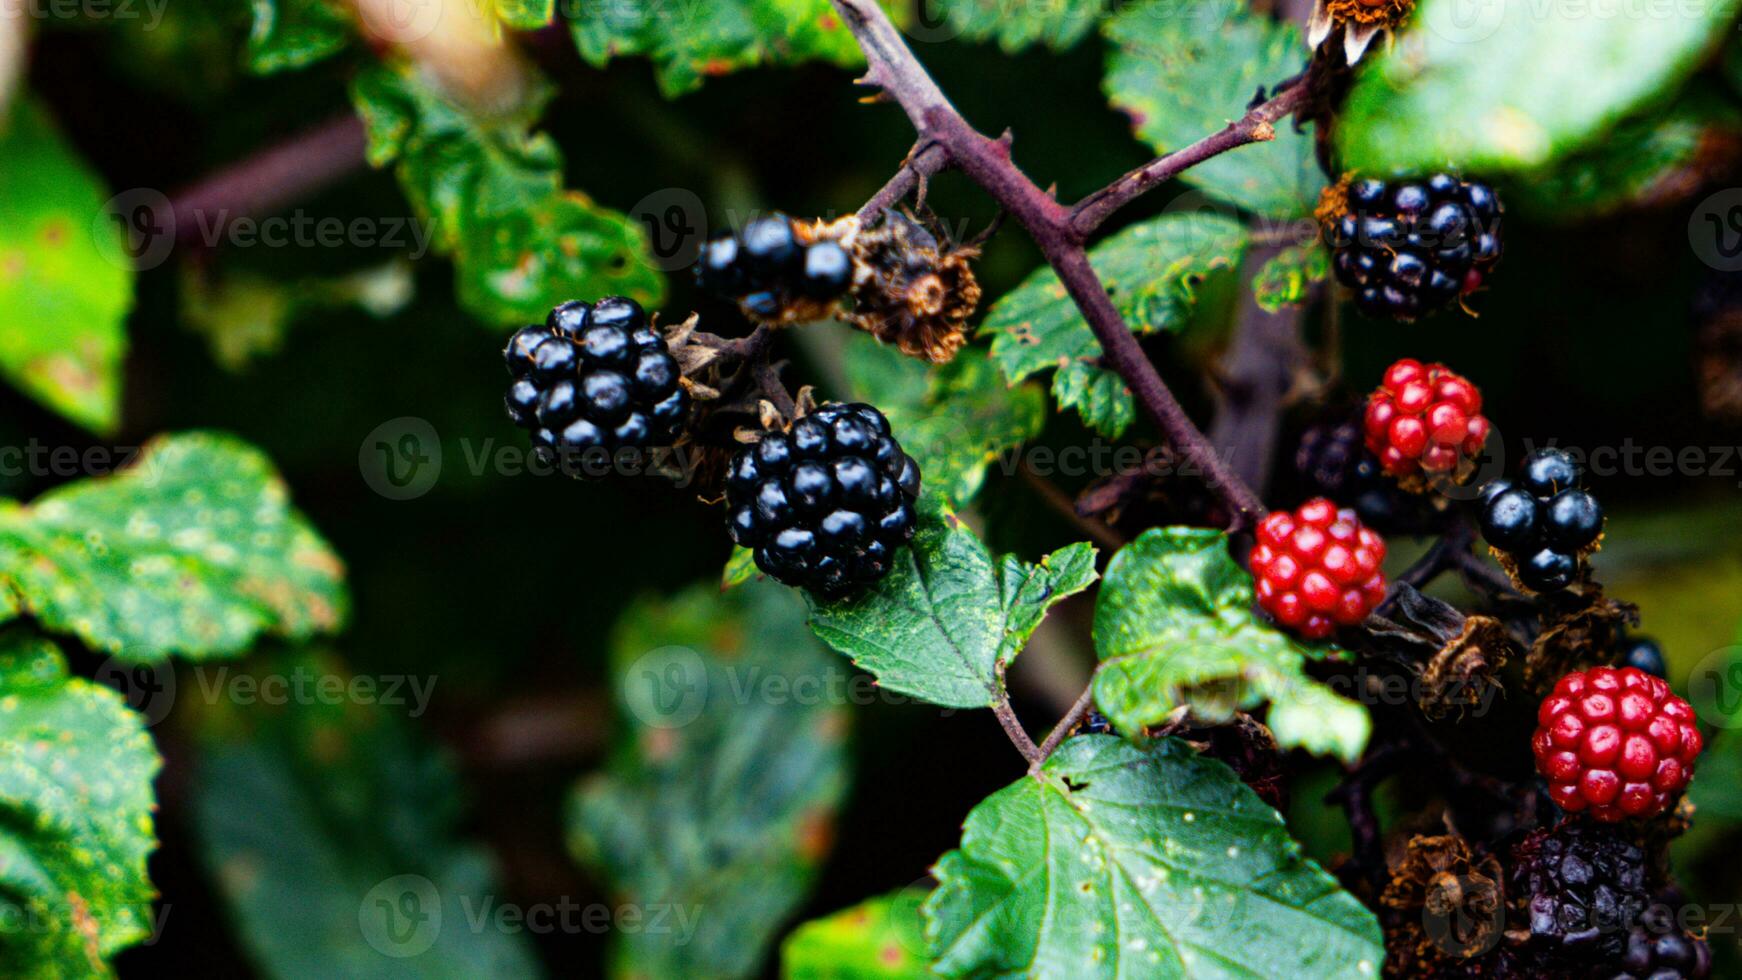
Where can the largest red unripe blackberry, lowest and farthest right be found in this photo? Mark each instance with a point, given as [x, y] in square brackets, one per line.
[1616, 742]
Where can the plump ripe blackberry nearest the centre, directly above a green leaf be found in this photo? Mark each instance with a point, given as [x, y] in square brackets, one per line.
[827, 504]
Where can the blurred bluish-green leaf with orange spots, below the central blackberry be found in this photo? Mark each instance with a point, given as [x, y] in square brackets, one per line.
[720, 798]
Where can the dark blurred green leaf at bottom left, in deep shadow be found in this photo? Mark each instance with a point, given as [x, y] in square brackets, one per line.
[334, 835]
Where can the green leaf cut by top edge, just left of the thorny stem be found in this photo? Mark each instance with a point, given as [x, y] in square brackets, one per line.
[691, 43]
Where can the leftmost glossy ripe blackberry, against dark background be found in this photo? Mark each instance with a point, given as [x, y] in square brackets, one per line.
[595, 379]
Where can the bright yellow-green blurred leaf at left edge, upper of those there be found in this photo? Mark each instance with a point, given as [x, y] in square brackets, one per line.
[64, 279]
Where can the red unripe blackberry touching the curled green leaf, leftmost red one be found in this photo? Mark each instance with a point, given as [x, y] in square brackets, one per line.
[1318, 568]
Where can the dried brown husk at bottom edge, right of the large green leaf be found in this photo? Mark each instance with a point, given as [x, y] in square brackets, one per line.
[1450, 910]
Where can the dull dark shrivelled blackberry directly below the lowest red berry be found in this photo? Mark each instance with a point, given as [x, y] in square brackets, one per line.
[1583, 889]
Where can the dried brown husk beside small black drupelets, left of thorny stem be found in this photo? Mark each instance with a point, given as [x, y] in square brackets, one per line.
[910, 290]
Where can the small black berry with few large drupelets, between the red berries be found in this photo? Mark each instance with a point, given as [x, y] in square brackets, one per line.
[1544, 523]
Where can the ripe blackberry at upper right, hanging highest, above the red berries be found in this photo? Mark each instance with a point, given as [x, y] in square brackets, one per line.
[1412, 246]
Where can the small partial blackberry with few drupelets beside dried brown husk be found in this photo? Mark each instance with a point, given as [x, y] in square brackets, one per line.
[767, 267]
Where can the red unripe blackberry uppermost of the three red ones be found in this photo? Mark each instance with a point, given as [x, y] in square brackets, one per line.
[1426, 422]
